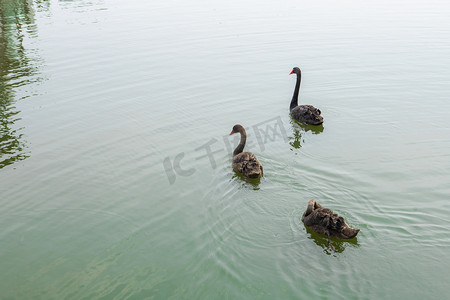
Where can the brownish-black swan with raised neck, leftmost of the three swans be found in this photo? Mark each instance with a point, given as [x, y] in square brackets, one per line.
[245, 162]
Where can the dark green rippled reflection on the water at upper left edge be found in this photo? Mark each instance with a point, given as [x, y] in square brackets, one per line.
[18, 67]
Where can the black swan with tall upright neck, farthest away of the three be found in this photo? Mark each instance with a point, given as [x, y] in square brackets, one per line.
[303, 113]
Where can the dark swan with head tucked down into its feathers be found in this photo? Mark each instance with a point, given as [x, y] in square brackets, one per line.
[324, 221]
